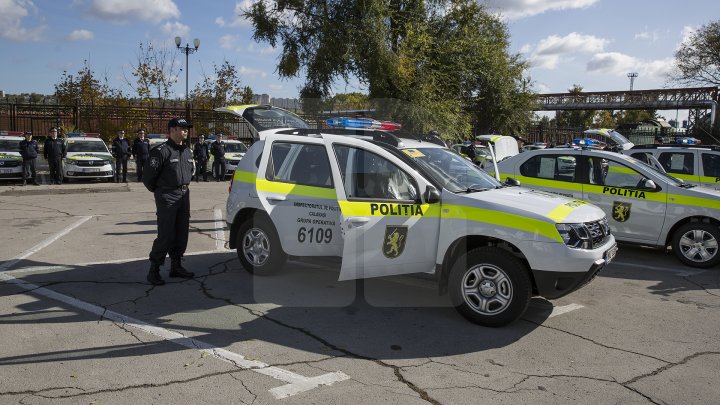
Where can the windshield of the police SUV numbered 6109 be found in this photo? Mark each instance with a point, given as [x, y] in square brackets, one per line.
[453, 172]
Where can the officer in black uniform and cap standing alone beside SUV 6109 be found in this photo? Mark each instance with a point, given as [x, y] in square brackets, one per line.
[167, 173]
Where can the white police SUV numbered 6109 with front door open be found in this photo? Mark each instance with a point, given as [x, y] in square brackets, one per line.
[390, 205]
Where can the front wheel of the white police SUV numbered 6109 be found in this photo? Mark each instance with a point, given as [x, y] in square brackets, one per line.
[489, 286]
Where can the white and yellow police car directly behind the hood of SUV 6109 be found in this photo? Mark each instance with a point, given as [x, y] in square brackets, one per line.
[646, 206]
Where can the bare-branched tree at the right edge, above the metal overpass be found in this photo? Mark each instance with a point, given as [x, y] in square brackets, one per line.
[697, 62]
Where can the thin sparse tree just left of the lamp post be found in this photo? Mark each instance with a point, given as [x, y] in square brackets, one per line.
[154, 73]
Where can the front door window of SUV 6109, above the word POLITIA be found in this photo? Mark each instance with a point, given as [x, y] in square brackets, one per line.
[370, 176]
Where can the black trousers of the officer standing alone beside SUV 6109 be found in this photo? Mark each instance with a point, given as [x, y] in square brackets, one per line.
[173, 218]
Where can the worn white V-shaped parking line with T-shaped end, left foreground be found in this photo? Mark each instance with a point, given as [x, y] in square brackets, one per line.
[296, 382]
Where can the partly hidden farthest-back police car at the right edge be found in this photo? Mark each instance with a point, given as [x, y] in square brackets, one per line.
[692, 163]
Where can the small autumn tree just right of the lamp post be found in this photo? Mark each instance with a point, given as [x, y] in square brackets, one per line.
[221, 89]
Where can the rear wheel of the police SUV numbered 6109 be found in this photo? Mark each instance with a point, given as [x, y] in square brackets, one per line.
[258, 247]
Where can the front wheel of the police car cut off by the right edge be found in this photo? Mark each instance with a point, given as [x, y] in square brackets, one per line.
[696, 244]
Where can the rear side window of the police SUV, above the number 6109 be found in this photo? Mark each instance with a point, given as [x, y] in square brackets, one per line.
[297, 163]
